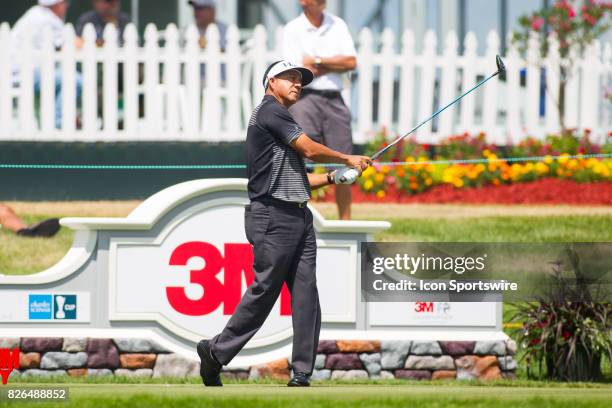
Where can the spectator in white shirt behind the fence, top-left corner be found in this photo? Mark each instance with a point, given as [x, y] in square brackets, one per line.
[48, 14]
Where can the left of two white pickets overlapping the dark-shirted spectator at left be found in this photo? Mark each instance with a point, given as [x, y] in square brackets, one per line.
[90, 82]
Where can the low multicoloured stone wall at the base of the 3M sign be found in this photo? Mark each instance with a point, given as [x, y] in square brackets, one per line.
[342, 359]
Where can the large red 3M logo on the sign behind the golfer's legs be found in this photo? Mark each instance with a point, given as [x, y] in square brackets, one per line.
[238, 262]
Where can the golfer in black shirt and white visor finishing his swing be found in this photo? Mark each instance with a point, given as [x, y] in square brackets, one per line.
[278, 225]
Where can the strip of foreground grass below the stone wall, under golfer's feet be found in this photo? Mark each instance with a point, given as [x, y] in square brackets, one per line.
[328, 395]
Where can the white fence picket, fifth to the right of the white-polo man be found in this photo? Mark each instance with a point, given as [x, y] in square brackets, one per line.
[449, 84]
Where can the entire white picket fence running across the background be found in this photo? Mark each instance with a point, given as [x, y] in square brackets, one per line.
[168, 96]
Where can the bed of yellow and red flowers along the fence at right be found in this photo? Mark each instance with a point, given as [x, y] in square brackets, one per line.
[558, 169]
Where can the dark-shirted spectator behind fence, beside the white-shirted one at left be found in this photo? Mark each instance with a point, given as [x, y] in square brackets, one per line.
[104, 12]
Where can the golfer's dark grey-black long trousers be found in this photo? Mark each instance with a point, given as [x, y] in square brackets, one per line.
[285, 250]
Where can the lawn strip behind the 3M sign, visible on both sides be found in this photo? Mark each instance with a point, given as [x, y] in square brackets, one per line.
[420, 223]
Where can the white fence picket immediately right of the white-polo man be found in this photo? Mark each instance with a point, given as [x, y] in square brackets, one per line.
[364, 121]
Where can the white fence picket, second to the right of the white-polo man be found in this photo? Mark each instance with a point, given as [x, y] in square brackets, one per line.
[387, 79]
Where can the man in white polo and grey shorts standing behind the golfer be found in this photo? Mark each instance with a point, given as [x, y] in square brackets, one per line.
[322, 43]
